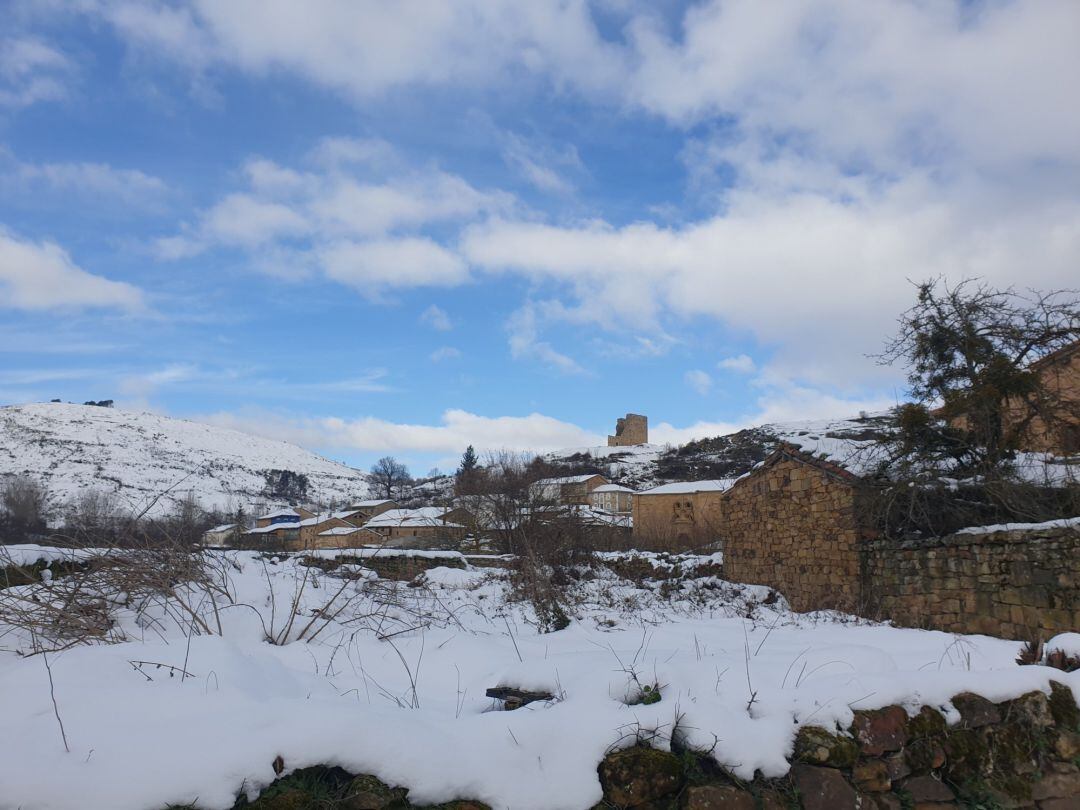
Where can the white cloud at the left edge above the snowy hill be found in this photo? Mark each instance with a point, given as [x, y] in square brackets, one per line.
[42, 276]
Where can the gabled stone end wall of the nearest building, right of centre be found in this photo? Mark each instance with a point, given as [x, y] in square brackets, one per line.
[793, 525]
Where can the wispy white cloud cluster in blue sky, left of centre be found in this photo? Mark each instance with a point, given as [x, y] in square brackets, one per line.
[336, 219]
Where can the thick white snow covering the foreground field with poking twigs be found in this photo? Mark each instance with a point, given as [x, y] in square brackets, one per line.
[391, 682]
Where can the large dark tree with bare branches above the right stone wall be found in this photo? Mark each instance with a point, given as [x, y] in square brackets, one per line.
[973, 356]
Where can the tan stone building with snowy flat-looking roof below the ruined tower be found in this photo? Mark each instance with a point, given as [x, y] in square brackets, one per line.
[680, 517]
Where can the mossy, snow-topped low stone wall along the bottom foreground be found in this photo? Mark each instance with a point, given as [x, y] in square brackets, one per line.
[1021, 753]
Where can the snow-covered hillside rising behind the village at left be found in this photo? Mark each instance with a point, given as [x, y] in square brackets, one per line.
[141, 455]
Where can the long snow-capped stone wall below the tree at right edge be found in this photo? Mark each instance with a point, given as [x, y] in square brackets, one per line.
[1014, 584]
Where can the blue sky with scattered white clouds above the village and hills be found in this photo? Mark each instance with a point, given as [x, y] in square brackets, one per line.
[407, 227]
